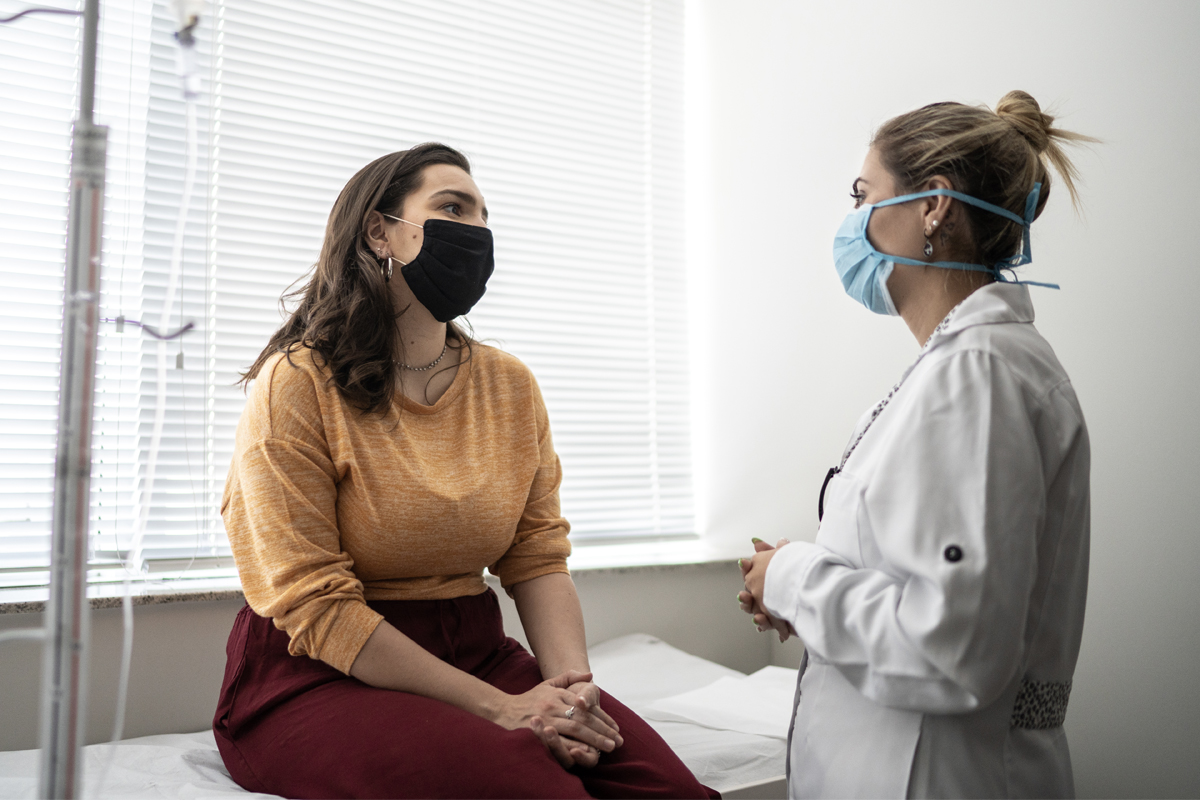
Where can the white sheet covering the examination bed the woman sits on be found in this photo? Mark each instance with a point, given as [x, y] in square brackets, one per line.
[639, 670]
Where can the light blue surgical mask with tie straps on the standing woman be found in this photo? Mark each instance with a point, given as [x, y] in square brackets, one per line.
[865, 270]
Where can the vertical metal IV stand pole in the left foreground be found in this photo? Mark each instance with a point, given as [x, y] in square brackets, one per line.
[65, 660]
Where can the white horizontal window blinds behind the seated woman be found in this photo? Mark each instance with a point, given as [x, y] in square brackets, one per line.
[573, 118]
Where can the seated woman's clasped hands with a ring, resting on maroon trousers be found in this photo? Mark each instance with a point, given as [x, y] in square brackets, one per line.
[566, 715]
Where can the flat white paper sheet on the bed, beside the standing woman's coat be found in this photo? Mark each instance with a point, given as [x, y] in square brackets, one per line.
[760, 703]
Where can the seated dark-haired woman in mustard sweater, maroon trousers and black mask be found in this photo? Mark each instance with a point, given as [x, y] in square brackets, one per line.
[383, 460]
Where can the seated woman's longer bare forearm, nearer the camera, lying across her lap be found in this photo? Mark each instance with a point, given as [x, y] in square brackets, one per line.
[392, 660]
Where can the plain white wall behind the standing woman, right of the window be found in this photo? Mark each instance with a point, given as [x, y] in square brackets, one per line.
[797, 89]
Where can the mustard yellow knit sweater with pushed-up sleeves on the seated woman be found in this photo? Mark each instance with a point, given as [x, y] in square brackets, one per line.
[327, 508]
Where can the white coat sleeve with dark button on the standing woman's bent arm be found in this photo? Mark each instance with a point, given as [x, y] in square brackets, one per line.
[958, 467]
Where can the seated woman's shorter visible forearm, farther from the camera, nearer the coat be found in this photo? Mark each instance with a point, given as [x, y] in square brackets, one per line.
[554, 623]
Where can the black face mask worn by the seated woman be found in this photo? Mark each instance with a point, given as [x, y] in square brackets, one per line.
[451, 274]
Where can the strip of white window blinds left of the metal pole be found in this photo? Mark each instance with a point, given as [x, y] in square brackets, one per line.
[39, 76]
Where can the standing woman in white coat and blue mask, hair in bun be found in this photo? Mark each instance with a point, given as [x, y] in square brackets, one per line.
[943, 603]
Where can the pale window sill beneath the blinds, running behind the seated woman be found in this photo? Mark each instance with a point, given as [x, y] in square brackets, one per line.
[586, 558]
